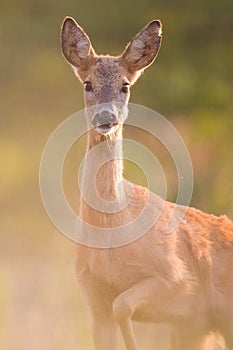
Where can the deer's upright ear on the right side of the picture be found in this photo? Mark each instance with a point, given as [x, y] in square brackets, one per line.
[143, 48]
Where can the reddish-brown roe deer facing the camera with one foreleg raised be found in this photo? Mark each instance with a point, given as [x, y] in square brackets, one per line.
[184, 278]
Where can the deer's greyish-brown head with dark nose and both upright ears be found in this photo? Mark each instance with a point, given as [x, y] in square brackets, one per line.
[107, 79]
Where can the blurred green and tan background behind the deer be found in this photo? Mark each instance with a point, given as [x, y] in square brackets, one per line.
[190, 84]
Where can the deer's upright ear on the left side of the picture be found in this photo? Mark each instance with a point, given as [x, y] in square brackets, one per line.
[76, 45]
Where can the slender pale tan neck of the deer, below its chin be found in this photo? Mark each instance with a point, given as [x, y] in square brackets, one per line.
[102, 173]
